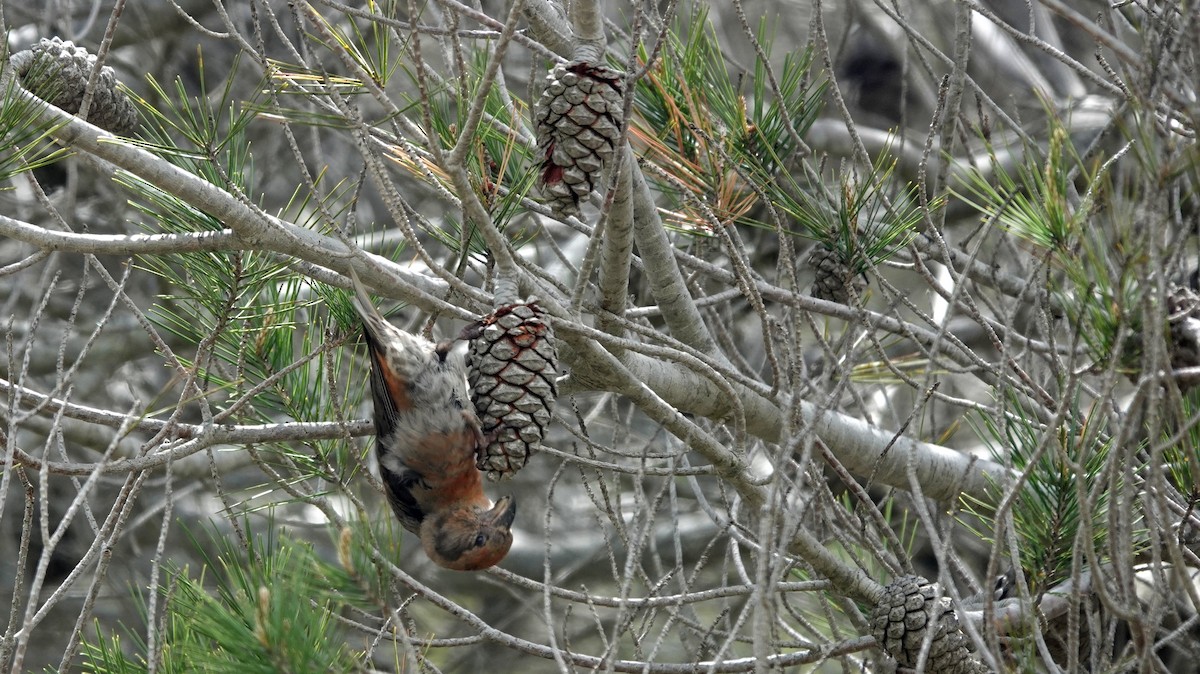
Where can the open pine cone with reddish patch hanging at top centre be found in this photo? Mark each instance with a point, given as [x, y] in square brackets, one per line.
[579, 121]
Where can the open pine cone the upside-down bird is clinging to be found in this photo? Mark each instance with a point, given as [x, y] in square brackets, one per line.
[512, 366]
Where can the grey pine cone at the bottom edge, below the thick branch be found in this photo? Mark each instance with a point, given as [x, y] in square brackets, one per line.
[902, 618]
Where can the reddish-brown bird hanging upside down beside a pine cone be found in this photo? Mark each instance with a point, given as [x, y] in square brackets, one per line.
[427, 441]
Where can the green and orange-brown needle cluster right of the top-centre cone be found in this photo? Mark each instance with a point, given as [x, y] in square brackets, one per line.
[693, 119]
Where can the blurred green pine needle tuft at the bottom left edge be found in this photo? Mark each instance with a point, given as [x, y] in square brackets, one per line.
[267, 610]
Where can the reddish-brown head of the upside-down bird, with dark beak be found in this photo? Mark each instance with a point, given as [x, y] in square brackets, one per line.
[470, 538]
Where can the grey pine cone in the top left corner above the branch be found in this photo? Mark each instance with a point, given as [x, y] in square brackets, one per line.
[57, 71]
